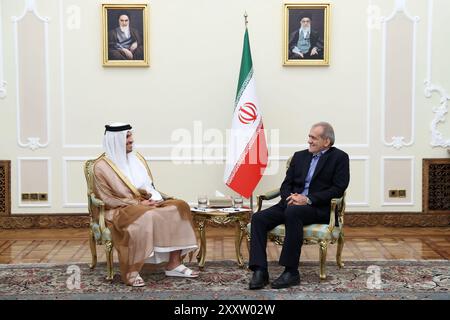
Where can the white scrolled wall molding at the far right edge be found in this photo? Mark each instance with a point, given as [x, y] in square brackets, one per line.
[437, 139]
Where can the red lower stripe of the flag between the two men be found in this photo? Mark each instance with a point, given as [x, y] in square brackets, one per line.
[251, 169]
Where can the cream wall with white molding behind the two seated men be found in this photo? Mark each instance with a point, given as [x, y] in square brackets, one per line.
[195, 51]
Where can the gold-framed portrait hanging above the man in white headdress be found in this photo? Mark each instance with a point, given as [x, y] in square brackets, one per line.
[125, 38]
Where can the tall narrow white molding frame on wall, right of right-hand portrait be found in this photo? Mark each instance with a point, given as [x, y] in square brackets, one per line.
[398, 141]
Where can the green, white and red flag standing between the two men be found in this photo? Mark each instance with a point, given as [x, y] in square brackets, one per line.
[247, 148]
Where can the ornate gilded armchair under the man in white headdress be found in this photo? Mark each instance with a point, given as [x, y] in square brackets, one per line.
[99, 234]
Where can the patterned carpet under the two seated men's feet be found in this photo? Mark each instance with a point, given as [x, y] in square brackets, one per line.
[222, 280]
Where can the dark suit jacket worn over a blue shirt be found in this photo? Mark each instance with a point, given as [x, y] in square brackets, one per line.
[330, 179]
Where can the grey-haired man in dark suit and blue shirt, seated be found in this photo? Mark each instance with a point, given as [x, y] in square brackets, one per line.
[314, 177]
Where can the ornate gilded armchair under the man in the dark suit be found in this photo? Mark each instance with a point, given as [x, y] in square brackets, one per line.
[321, 234]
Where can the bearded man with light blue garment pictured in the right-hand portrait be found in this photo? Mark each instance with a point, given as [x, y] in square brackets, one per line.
[305, 43]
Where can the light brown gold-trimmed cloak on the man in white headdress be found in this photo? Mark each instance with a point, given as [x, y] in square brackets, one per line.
[141, 233]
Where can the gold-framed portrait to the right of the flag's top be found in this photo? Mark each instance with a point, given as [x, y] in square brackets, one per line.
[306, 34]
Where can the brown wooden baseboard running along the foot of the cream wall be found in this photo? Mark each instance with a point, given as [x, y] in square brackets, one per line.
[352, 219]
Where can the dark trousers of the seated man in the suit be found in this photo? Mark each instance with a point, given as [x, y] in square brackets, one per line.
[294, 218]
